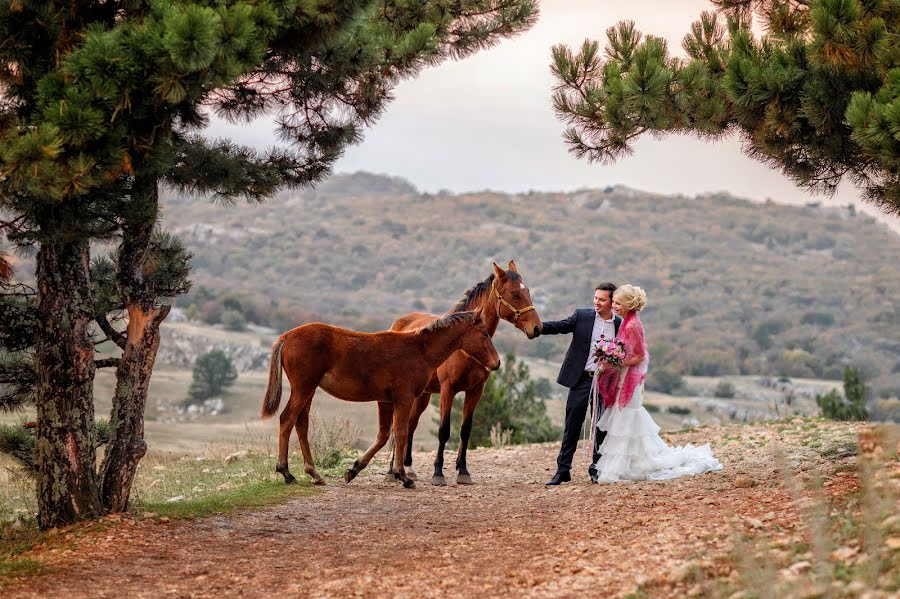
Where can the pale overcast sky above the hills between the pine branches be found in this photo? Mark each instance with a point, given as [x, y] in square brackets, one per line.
[487, 122]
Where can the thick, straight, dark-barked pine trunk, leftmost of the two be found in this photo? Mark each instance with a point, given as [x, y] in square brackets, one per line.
[65, 444]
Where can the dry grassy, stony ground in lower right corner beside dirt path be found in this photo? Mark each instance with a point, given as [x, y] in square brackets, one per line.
[846, 542]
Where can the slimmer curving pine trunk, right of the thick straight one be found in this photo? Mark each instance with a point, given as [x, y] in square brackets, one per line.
[127, 445]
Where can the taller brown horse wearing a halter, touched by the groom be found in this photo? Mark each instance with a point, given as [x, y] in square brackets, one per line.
[502, 295]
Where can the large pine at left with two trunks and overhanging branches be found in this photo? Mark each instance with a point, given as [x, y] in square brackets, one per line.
[102, 102]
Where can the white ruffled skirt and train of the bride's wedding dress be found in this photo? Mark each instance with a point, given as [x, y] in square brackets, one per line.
[633, 449]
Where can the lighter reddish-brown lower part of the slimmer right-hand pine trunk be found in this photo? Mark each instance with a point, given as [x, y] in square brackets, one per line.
[127, 445]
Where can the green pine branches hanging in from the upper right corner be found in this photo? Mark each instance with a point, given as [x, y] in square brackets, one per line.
[815, 97]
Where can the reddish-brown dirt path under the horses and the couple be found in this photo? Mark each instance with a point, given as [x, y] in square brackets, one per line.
[508, 535]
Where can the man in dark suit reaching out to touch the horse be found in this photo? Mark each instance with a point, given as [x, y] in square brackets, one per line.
[578, 370]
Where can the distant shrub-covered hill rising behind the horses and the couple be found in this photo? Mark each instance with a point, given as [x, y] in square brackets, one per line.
[734, 286]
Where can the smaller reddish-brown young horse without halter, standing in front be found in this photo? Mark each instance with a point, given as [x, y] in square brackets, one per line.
[390, 368]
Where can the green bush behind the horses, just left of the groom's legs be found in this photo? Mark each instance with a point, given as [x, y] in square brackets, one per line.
[511, 401]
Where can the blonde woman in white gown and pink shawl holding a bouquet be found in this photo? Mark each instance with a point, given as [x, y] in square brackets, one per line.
[633, 449]
